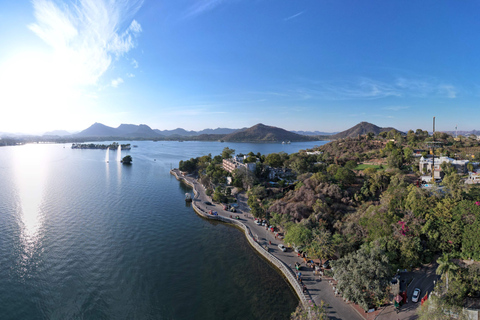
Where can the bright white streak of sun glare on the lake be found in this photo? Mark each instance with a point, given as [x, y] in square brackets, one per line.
[30, 173]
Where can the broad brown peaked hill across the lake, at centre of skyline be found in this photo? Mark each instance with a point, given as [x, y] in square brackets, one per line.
[263, 133]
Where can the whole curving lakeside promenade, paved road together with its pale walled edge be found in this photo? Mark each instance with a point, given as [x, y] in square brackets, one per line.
[317, 289]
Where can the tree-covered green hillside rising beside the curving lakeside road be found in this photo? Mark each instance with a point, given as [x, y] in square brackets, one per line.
[360, 202]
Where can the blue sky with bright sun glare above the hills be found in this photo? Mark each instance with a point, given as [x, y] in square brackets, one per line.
[309, 65]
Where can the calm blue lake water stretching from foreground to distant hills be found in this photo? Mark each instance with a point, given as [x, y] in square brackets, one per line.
[84, 239]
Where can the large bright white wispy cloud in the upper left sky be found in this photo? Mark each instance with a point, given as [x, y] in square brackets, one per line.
[87, 34]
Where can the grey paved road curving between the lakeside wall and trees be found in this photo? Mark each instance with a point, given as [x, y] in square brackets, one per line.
[318, 289]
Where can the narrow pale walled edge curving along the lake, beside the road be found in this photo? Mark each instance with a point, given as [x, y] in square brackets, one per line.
[305, 299]
